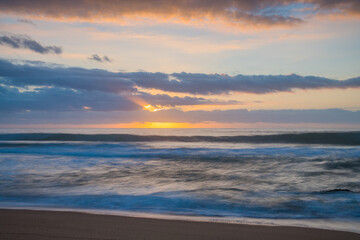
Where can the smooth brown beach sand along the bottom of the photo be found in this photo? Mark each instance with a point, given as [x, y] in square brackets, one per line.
[39, 225]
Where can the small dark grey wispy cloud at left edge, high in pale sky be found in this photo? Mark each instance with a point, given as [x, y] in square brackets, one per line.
[25, 42]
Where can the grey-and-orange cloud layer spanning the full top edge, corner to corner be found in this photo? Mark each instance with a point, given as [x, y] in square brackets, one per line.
[238, 12]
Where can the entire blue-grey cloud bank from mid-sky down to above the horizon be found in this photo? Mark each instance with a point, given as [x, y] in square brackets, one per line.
[29, 91]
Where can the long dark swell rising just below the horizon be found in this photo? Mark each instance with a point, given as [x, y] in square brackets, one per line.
[333, 138]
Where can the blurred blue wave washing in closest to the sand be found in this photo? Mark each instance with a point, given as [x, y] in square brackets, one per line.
[297, 206]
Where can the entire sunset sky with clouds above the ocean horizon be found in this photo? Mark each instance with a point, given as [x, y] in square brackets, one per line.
[179, 63]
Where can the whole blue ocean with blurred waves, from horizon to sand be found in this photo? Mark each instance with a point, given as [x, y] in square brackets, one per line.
[301, 176]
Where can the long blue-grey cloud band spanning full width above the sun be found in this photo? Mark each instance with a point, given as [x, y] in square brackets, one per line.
[41, 74]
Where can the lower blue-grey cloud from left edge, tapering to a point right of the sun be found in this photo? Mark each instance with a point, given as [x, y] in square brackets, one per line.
[58, 99]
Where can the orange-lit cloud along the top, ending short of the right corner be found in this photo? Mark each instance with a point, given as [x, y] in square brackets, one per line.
[235, 13]
